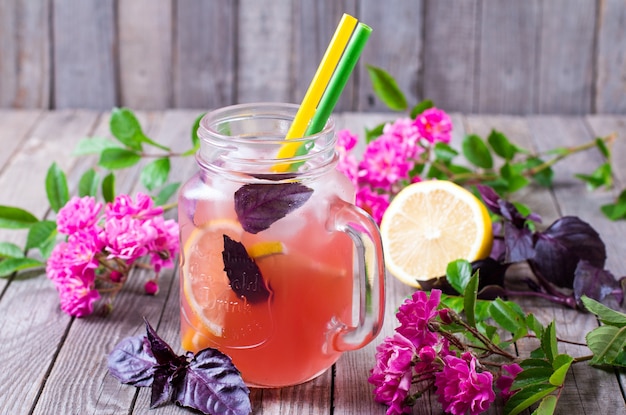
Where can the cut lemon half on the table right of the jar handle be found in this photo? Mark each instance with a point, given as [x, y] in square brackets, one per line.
[429, 224]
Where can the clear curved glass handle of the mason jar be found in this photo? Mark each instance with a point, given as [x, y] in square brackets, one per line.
[369, 275]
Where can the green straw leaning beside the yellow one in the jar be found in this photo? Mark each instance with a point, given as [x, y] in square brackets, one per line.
[339, 79]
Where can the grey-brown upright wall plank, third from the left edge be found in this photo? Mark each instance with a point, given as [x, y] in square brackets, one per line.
[145, 53]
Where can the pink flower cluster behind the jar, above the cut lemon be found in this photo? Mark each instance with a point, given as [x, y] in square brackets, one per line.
[392, 160]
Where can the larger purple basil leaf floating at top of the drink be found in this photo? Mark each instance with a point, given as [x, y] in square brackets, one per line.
[258, 206]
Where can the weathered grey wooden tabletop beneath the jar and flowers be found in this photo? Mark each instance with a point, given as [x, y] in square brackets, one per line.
[54, 364]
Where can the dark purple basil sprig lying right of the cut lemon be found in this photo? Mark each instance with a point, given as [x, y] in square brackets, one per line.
[567, 258]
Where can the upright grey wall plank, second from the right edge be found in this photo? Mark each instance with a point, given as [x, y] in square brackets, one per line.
[565, 65]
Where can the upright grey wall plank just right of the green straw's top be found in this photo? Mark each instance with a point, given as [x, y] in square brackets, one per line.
[398, 23]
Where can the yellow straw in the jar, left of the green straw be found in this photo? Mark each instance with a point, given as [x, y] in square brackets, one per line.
[317, 86]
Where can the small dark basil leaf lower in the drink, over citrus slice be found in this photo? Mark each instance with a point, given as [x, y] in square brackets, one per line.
[243, 273]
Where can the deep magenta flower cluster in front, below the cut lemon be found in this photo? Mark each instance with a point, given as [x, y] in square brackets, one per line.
[421, 355]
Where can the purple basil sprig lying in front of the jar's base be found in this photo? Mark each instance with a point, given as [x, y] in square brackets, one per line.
[207, 381]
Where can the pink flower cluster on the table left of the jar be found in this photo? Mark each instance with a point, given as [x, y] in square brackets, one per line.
[101, 248]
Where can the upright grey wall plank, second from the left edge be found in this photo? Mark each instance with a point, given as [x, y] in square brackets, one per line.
[84, 56]
